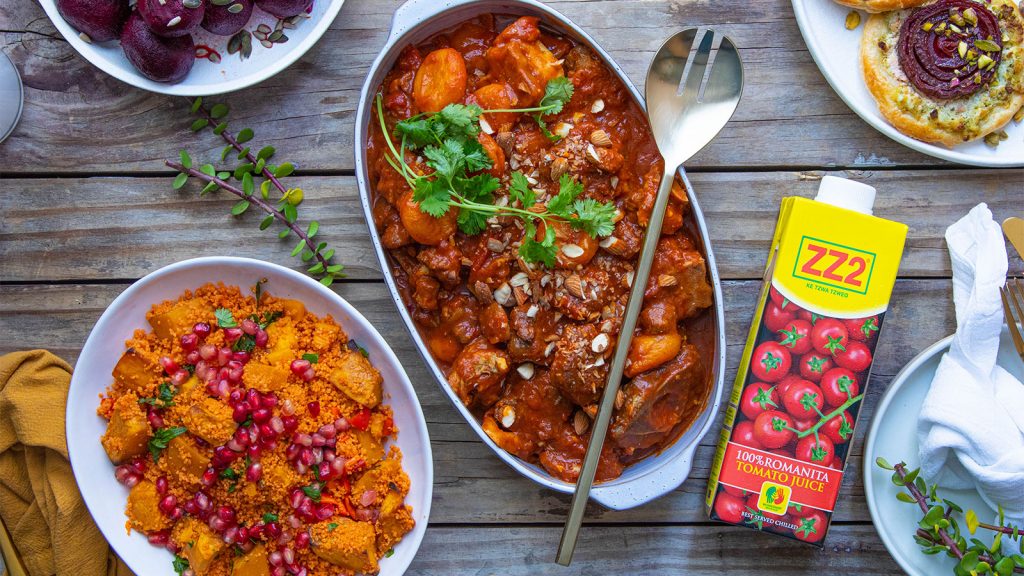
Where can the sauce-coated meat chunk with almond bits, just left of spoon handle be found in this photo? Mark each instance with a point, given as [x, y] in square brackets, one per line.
[577, 371]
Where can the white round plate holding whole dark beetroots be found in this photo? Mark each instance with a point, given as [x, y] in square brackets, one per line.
[207, 78]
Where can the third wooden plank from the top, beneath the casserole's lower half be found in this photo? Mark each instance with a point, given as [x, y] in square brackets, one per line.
[60, 317]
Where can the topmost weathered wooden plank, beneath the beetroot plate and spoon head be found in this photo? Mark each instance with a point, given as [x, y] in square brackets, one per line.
[80, 120]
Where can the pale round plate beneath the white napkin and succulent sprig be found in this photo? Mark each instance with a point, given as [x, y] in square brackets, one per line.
[894, 437]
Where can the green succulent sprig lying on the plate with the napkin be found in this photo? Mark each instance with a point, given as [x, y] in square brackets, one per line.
[940, 531]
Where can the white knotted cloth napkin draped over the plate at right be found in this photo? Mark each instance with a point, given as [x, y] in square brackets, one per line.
[971, 429]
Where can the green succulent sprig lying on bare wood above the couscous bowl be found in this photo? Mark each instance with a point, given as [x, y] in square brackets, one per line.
[253, 167]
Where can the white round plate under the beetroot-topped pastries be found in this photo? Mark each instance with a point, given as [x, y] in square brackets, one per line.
[837, 52]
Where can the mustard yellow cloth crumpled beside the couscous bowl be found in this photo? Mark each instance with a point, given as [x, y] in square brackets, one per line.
[39, 501]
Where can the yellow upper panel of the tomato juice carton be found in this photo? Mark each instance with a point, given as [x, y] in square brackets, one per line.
[836, 260]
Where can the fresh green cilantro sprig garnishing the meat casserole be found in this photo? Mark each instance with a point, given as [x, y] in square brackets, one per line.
[449, 143]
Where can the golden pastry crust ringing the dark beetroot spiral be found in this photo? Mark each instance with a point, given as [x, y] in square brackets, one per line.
[946, 122]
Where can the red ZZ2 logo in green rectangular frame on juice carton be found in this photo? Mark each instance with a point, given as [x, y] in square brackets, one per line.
[834, 265]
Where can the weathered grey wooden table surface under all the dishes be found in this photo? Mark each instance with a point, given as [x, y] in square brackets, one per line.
[87, 208]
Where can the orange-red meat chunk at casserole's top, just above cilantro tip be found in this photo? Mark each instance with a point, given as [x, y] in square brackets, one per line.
[519, 59]
